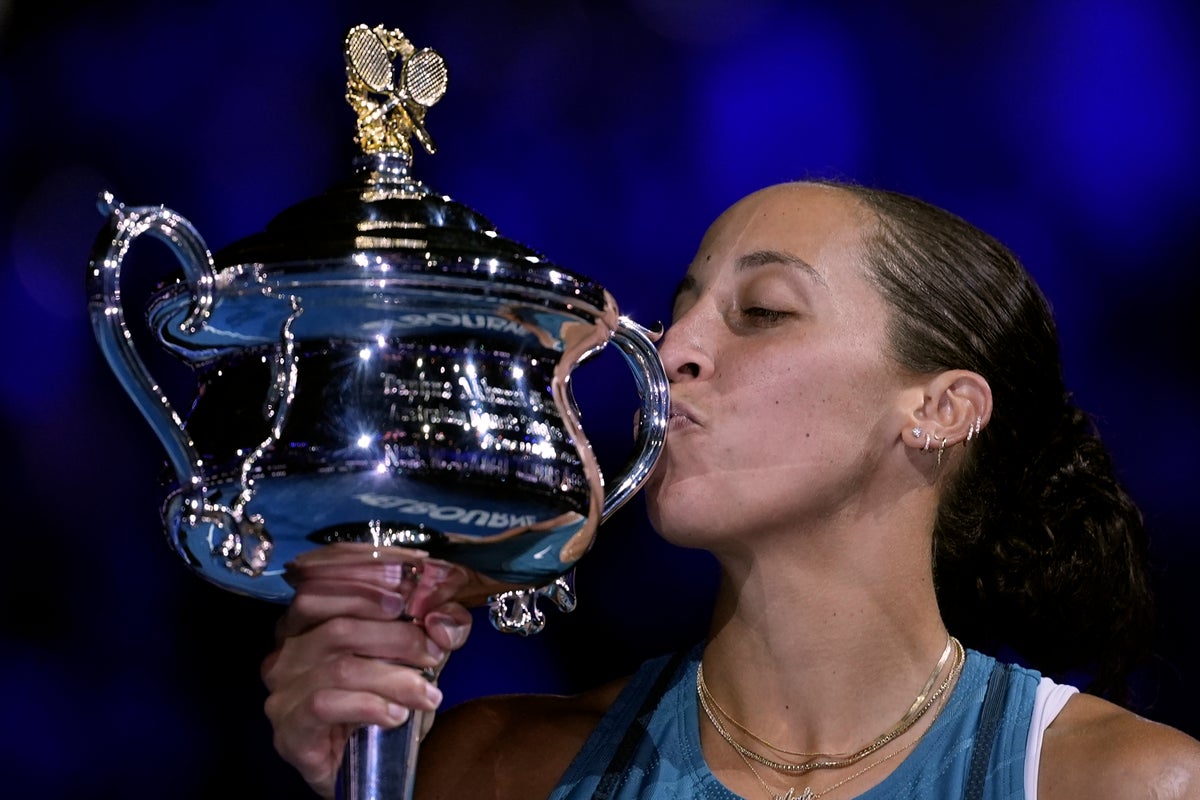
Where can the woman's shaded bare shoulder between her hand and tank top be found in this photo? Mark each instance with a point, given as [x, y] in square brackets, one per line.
[523, 743]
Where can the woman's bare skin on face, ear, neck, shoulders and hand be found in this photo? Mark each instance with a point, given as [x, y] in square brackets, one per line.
[790, 456]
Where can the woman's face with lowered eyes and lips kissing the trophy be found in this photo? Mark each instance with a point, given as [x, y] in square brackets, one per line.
[787, 407]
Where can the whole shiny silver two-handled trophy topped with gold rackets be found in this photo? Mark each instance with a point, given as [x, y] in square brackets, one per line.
[380, 376]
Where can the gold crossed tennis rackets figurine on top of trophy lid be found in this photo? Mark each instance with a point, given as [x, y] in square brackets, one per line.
[392, 107]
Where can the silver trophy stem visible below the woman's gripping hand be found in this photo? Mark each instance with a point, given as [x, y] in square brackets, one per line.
[381, 763]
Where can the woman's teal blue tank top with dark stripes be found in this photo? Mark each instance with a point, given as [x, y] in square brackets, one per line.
[647, 745]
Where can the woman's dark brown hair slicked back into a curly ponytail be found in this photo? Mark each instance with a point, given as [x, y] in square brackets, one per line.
[1037, 546]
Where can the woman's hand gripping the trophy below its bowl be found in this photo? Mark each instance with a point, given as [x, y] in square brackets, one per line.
[358, 646]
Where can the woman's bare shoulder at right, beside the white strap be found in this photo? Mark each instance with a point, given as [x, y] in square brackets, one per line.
[1096, 749]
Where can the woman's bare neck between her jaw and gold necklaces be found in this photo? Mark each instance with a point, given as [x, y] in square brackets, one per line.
[841, 646]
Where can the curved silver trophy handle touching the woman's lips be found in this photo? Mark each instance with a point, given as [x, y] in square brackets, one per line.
[637, 345]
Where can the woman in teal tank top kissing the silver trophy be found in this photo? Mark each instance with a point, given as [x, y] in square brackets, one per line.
[871, 434]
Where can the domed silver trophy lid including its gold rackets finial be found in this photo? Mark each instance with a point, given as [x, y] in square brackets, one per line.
[383, 224]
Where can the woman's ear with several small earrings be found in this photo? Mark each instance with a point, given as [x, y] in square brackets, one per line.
[956, 406]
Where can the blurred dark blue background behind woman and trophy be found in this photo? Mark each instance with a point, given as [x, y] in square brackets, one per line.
[608, 136]
